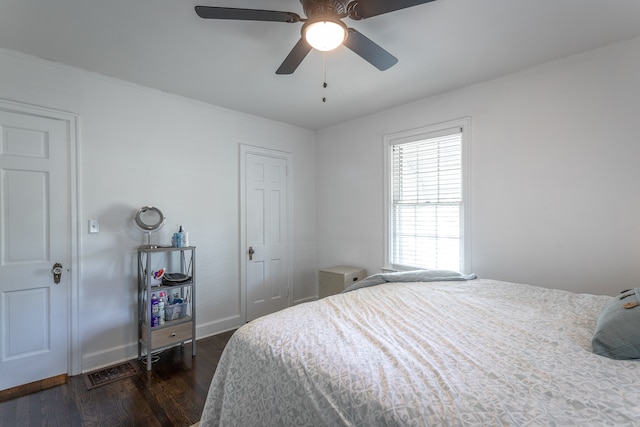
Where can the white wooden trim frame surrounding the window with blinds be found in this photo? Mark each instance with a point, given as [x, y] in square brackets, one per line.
[413, 135]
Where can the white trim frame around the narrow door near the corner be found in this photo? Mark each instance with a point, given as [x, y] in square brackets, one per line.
[262, 151]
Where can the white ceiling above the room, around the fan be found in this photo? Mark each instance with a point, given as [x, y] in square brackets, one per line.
[442, 45]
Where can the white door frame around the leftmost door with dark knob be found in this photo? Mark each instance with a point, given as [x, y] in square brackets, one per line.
[74, 354]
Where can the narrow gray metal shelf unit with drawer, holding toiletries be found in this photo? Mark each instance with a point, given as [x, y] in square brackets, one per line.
[178, 323]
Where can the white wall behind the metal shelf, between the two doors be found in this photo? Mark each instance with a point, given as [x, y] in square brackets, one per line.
[138, 147]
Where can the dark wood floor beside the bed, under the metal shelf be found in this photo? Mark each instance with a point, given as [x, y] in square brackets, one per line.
[171, 394]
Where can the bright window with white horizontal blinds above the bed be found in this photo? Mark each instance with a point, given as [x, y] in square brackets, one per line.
[426, 198]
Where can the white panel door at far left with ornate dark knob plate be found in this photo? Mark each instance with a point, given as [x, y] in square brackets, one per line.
[34, 235]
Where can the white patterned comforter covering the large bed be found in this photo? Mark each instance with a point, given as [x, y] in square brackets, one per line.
[480, 352]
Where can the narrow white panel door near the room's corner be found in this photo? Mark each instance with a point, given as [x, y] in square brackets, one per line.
[267, 274]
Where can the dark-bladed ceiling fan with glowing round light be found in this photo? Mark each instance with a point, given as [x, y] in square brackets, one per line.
[322, 28]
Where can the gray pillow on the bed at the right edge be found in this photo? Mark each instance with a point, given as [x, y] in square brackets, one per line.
[617, 334]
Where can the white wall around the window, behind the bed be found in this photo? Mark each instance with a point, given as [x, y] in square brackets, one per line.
[554, 178]
